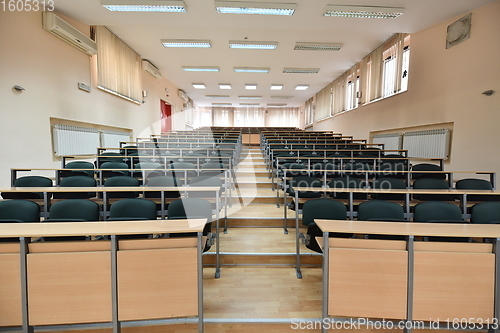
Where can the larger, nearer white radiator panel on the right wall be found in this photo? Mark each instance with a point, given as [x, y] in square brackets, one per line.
[427, 144]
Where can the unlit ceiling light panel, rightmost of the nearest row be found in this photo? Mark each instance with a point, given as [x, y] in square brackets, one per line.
[362, 11]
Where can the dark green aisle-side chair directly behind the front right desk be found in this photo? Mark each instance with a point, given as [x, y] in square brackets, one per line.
[321, 208]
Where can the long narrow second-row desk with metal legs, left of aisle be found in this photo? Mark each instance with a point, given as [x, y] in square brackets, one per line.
[161, 189]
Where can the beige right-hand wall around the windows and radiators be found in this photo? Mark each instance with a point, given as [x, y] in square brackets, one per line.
[445, 85]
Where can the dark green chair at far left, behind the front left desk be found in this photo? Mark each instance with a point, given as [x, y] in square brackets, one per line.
[18, 211]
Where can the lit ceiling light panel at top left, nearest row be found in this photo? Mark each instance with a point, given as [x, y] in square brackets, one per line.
[172, 6]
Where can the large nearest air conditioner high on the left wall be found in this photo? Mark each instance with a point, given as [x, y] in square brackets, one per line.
[62, 29]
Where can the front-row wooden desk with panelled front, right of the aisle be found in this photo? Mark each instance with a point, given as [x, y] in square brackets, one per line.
[410, 280]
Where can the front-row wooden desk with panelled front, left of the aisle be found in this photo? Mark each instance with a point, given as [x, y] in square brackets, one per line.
[54, 283]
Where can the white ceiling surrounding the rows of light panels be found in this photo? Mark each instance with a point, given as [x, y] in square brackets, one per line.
[143, 32]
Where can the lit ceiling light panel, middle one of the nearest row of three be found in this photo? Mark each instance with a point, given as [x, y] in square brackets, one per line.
[262, 8]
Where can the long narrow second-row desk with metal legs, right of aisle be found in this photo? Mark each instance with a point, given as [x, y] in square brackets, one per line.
[351, 191]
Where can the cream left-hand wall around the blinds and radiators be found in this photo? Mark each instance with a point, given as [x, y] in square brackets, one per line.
[50, 70]
